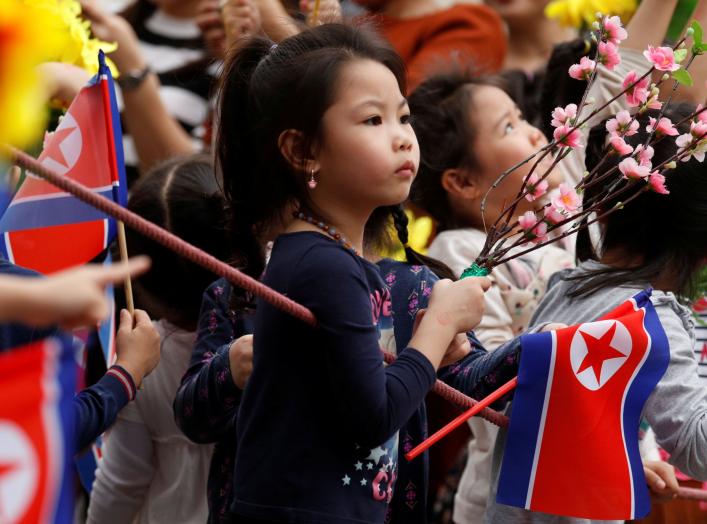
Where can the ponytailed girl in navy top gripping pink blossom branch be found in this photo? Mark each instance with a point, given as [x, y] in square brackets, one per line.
[319, 124]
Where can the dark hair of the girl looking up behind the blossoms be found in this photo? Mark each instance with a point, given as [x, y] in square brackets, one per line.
[441, 108]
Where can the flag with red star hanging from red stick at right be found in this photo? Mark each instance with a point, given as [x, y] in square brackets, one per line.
[572, 446]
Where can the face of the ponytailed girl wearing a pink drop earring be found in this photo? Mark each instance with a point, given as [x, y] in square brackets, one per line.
[368, 154]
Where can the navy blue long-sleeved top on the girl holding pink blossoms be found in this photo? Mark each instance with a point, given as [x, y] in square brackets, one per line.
[319, 418]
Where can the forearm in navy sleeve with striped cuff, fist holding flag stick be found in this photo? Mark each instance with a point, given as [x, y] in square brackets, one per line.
[138, 350]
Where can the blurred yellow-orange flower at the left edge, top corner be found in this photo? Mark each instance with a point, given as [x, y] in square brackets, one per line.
[28, 37]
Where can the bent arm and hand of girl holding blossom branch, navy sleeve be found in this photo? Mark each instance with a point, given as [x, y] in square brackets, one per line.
[375, 401]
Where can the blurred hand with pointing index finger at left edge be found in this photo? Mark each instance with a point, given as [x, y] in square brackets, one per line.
[71, 298]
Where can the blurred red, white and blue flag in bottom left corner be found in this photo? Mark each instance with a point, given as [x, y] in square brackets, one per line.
[37, 384]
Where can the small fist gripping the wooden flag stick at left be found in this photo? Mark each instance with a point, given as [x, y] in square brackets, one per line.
[137, 344]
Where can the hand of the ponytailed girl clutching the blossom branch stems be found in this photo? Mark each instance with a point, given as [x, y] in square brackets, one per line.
[458, 306]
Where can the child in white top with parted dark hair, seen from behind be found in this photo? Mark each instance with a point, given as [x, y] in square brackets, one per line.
[150, 472]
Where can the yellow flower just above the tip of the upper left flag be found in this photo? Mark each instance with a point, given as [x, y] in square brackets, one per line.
[80, 49]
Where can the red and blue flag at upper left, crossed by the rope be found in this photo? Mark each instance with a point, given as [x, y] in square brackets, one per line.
[48, 230]
